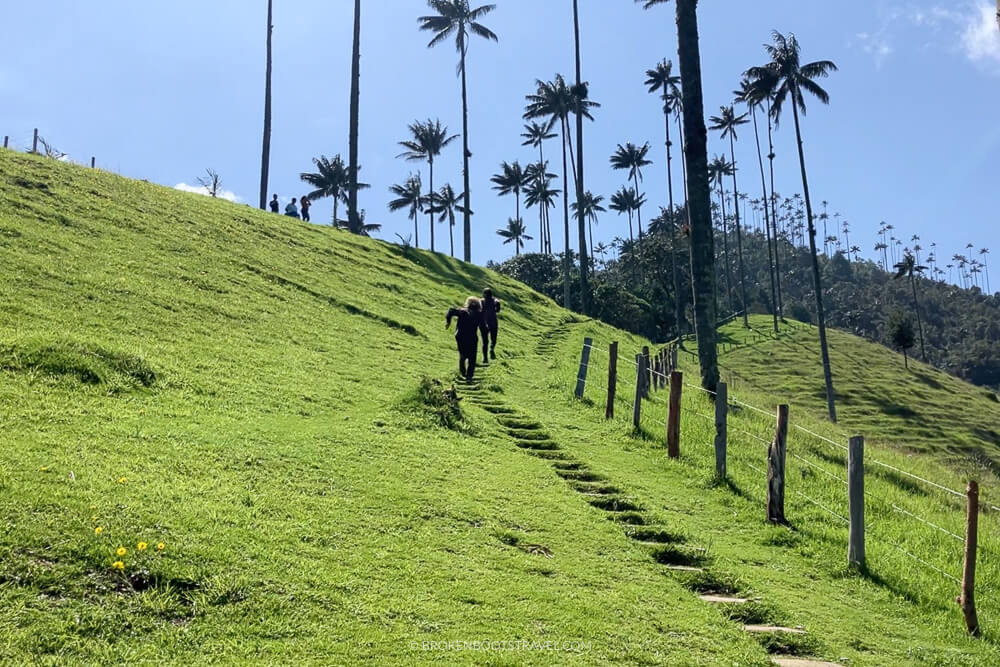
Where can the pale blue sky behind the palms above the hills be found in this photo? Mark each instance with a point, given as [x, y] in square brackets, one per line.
[163, 90]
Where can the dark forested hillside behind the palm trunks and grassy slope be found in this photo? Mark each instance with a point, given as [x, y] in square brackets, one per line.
[634, 291]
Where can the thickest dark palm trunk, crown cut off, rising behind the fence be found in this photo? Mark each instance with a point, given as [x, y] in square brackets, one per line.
[699, 197]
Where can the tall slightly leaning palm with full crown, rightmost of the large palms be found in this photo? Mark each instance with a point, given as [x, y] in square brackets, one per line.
[788, 78]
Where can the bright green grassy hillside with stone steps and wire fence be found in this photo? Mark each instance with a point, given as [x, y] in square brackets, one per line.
[270, 401]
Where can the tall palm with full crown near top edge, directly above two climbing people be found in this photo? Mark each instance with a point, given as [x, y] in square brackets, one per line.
[455, 16]
